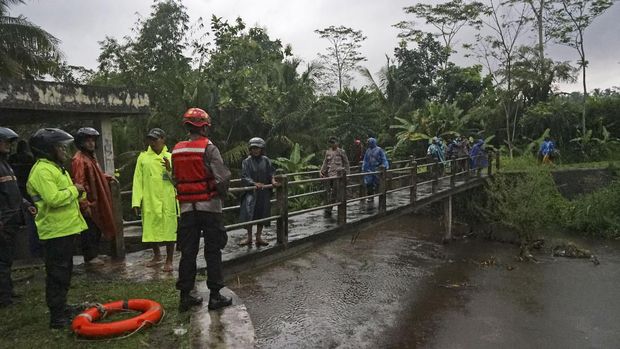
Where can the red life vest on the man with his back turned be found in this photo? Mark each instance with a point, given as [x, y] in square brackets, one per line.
[194, 180]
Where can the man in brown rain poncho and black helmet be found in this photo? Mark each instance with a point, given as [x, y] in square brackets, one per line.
[97, 206]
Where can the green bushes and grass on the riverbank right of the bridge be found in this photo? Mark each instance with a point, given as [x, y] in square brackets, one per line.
[532, 206]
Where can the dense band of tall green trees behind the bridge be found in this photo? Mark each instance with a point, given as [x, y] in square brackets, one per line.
[253, 84]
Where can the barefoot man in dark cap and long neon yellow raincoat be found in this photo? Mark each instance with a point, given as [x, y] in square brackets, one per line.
[154, 197]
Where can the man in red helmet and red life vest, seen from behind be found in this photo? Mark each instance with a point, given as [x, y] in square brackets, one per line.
[201, 180]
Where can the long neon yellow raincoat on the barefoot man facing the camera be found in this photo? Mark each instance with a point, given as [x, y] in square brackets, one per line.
[154, 193]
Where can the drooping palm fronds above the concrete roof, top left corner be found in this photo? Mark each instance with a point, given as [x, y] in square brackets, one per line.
[26, 50]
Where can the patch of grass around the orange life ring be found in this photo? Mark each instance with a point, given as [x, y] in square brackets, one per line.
[25, 324]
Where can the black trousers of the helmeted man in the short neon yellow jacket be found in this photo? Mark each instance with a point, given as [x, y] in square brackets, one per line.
[58, 269]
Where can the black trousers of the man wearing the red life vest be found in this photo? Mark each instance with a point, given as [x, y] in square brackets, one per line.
[192, 226]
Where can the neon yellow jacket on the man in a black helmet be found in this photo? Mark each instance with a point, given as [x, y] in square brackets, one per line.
[56, 199]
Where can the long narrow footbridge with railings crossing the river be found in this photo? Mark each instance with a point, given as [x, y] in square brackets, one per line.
[407, 185]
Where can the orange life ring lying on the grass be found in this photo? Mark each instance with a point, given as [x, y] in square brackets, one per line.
[84, 324]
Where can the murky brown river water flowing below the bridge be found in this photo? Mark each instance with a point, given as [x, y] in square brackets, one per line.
[397, 287]
